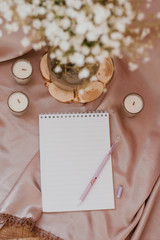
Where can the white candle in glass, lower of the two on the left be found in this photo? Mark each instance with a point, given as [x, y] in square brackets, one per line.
[18, 103]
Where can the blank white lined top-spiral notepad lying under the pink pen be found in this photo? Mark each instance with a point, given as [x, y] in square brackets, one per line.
[71, 148]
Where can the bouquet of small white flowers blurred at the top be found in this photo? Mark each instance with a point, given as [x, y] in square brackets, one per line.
[79, 32]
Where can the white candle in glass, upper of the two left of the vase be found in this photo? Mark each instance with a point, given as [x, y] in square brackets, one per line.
[22, 71]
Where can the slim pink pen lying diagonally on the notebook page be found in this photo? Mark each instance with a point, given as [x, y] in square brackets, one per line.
[95, 176]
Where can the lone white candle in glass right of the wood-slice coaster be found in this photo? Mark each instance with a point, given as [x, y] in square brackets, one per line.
[133, 104]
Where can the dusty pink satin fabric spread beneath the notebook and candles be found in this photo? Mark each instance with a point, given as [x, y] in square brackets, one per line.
[135, 161]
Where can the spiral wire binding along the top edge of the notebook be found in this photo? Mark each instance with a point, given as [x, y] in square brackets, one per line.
[74, 114]
